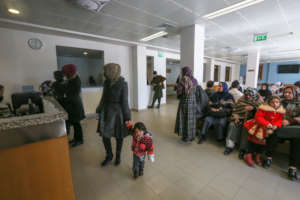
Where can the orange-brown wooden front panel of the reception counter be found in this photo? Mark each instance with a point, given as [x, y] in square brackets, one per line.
[38, 171]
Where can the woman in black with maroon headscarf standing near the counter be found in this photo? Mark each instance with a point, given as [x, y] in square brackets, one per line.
[73, 103]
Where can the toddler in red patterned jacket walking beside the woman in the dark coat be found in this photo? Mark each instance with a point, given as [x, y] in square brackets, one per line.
[141, 145]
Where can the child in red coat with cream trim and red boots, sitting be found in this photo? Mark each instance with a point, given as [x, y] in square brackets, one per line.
[267, 119]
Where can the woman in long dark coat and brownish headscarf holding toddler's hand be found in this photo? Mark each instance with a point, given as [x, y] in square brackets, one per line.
[114, 112]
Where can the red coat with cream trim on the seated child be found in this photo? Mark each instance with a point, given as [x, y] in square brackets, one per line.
[264, 116]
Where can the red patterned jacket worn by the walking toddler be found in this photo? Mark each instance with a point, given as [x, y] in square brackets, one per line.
[142, 145]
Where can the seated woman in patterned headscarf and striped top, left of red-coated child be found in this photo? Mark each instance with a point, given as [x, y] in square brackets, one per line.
[242, 111]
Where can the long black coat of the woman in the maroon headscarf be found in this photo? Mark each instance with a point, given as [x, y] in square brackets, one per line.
[73, 101]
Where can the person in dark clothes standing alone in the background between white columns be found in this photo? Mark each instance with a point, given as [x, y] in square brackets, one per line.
[158, 85]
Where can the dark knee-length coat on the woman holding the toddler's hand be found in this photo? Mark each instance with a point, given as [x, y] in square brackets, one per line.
[114, 110]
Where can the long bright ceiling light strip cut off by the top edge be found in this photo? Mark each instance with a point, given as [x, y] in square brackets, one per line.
[232, 8]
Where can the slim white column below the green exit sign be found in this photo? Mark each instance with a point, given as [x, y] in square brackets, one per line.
[252, 68]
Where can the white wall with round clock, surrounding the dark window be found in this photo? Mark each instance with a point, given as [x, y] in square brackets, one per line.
[21, 65]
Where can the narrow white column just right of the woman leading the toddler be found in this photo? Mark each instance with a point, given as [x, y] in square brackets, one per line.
[139, 74]
